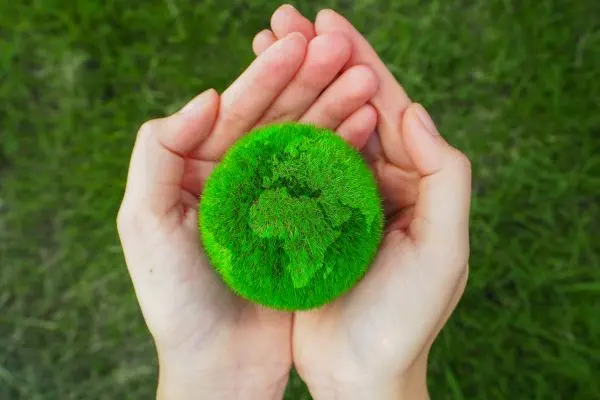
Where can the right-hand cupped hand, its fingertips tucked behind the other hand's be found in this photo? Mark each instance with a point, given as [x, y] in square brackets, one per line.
[374, 341]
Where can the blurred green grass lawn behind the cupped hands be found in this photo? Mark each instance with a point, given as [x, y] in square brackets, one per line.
[515, 84]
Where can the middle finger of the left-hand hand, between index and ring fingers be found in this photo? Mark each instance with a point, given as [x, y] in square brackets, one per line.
[325, 57]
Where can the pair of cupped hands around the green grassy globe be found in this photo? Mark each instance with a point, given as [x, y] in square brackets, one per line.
[371, 343]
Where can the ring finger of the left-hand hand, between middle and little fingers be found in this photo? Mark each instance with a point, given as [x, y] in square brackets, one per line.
[347, 94]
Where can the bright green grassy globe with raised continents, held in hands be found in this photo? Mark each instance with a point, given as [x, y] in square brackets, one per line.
[291, 217]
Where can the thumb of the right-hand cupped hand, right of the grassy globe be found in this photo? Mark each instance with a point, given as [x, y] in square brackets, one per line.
[441, 216]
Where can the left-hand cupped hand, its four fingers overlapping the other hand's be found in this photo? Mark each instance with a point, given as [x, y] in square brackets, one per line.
[211, 343]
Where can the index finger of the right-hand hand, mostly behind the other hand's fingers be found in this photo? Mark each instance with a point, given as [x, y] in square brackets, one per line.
[390, 100]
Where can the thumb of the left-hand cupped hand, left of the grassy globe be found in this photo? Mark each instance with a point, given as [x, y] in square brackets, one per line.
[157, 163]
